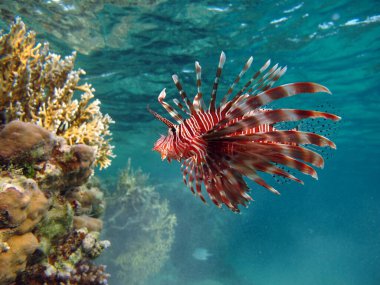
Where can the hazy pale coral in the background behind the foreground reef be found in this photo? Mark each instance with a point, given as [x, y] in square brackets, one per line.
[136, 213]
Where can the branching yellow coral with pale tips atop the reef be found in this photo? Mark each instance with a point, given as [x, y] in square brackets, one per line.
[39, 86]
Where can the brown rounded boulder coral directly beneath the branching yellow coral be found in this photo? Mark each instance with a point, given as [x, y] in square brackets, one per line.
[45, 157]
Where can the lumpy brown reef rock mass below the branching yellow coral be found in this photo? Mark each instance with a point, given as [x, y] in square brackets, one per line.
[49, 221]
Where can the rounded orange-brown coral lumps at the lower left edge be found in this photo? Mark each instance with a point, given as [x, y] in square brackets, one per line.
[22, 206]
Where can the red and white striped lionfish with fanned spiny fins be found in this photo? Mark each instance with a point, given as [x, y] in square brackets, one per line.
[221, 143]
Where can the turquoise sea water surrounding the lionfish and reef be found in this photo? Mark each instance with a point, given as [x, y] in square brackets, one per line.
[326, 232]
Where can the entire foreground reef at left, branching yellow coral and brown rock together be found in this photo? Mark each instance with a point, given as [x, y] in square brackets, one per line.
[49, 146]
